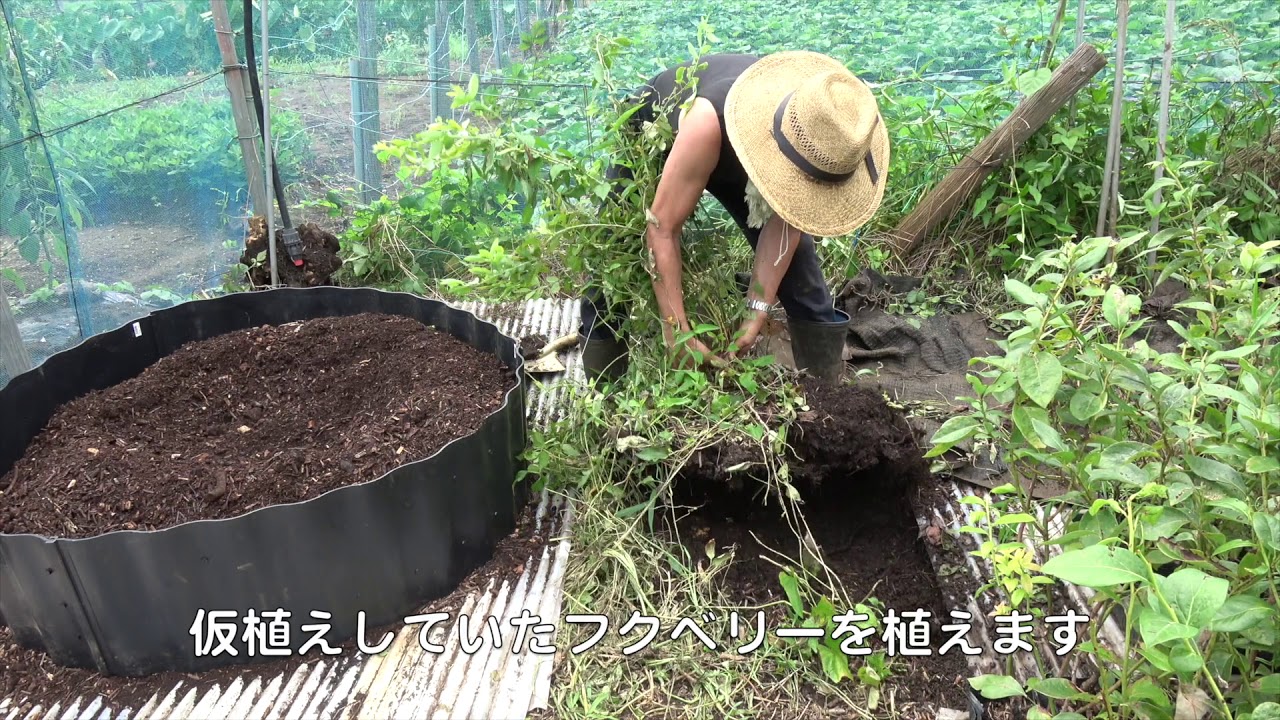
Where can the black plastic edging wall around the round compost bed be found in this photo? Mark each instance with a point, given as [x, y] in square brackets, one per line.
[125, 603]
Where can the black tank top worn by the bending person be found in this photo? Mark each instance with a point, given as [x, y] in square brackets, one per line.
[728, 183]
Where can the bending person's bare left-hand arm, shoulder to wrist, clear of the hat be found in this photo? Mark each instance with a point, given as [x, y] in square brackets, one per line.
[691, 163]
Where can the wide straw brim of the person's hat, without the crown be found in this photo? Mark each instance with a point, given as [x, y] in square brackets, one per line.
[817, 208]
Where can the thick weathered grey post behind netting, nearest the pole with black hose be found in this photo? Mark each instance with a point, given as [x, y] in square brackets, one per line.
[364, 103]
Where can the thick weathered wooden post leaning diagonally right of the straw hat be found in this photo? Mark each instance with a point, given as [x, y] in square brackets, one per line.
[1031, 115]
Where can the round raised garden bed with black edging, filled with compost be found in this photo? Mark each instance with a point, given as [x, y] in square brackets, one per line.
[345, 459]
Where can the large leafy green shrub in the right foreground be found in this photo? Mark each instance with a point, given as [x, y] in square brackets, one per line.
[1172, 458]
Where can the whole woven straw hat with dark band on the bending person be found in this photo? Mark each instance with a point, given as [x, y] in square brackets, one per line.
[812, 140]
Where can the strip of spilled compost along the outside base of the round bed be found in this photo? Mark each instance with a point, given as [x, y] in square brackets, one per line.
[30, 677]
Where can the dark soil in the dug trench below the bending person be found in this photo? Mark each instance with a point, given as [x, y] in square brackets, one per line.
[860, 466]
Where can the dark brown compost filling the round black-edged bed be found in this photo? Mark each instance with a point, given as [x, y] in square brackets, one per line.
[249, 420]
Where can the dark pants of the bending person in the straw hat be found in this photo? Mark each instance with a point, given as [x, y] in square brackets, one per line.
[803, 291]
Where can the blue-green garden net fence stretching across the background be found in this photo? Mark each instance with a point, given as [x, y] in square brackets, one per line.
[125, 186]
